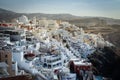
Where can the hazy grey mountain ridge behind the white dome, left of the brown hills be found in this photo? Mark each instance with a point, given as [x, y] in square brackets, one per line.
[6, 15]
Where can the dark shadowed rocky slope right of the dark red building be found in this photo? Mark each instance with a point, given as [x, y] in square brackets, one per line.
[106, 62]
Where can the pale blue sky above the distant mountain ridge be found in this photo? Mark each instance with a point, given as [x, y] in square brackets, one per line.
[100, 8]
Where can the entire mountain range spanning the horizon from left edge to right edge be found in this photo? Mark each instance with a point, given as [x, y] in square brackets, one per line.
[6, 15]
